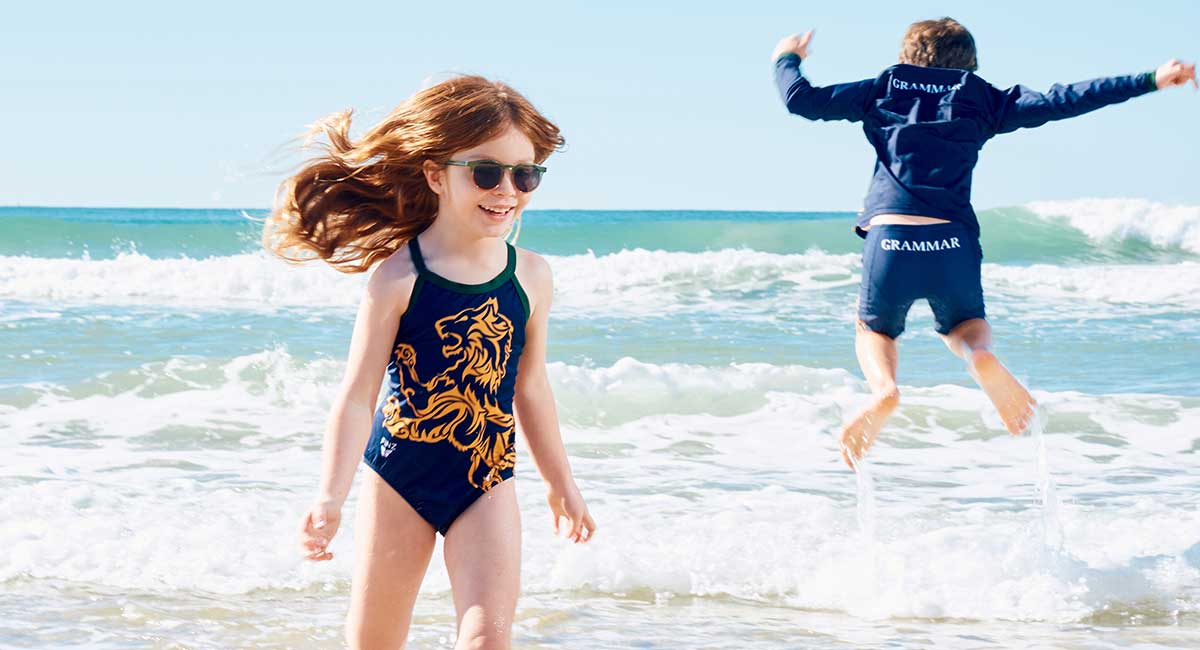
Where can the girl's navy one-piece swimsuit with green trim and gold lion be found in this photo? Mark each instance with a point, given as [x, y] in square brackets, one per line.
[446, 435]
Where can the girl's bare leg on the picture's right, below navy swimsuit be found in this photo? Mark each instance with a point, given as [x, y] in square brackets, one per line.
[483, 553]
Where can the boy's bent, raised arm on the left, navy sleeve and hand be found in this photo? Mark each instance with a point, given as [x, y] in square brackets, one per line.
[836, 103]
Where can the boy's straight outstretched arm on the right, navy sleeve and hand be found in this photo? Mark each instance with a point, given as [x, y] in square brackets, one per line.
[1024, 109]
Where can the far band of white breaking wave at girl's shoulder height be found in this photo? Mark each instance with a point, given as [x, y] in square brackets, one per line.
[631, 282]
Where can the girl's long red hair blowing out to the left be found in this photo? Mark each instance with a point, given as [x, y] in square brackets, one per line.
[364, 200]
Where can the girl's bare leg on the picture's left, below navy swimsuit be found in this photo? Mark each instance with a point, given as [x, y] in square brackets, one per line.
[393, 550]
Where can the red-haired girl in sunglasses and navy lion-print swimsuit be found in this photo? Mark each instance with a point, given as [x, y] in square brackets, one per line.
[457, 317]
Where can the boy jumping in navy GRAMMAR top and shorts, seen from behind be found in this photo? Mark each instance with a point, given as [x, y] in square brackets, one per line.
[927, 119]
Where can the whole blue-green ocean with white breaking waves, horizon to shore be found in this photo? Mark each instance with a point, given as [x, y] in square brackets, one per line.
[165, 383]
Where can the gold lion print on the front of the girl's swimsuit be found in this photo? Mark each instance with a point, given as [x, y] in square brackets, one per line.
[459, 405]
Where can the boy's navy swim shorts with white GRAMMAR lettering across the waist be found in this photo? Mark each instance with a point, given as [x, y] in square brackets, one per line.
[903, 264]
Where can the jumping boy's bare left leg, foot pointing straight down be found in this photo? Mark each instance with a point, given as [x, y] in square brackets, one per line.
[878, 358]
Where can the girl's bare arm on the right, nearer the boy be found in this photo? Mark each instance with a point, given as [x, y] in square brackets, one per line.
[537, 413]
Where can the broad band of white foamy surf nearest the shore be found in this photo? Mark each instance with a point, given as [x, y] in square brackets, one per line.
[748, 499]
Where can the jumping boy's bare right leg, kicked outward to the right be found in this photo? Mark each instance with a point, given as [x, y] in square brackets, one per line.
[971, 341]
